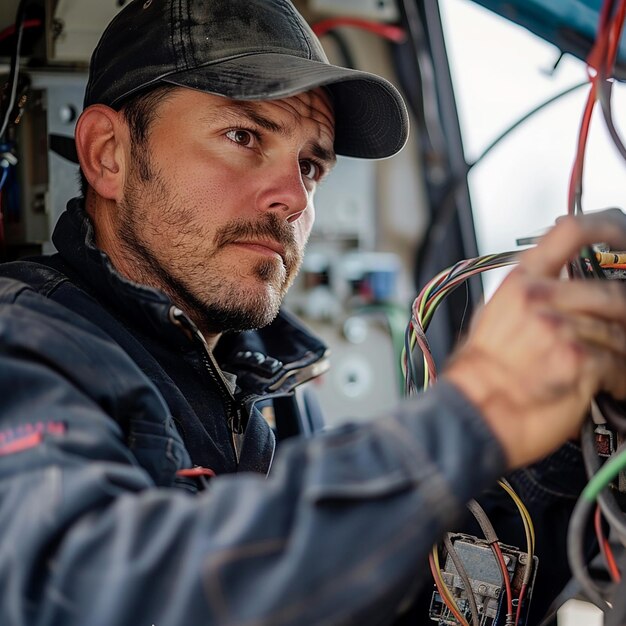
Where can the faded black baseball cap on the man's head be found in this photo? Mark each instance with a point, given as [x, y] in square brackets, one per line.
[243, 50]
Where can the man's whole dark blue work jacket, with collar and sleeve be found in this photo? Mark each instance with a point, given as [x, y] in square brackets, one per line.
[108, 402]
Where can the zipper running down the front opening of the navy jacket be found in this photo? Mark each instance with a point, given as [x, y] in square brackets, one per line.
[233, 411]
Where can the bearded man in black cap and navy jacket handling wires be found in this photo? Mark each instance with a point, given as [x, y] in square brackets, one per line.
[131, 367]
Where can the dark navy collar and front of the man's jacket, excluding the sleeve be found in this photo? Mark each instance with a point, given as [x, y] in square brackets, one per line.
[211, 409]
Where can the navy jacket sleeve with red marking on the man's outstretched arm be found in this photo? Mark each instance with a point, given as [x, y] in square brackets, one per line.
[338, 534]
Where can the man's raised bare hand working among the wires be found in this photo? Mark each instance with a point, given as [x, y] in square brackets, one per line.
[543, 347]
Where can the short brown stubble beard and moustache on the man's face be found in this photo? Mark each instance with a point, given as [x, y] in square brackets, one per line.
[214, 297]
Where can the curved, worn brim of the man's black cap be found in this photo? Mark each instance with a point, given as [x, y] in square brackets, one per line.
[371, 119]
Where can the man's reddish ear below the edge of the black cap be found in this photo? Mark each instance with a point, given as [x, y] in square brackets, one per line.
[101, 142]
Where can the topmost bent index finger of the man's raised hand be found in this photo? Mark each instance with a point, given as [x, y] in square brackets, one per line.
[564, 241]
